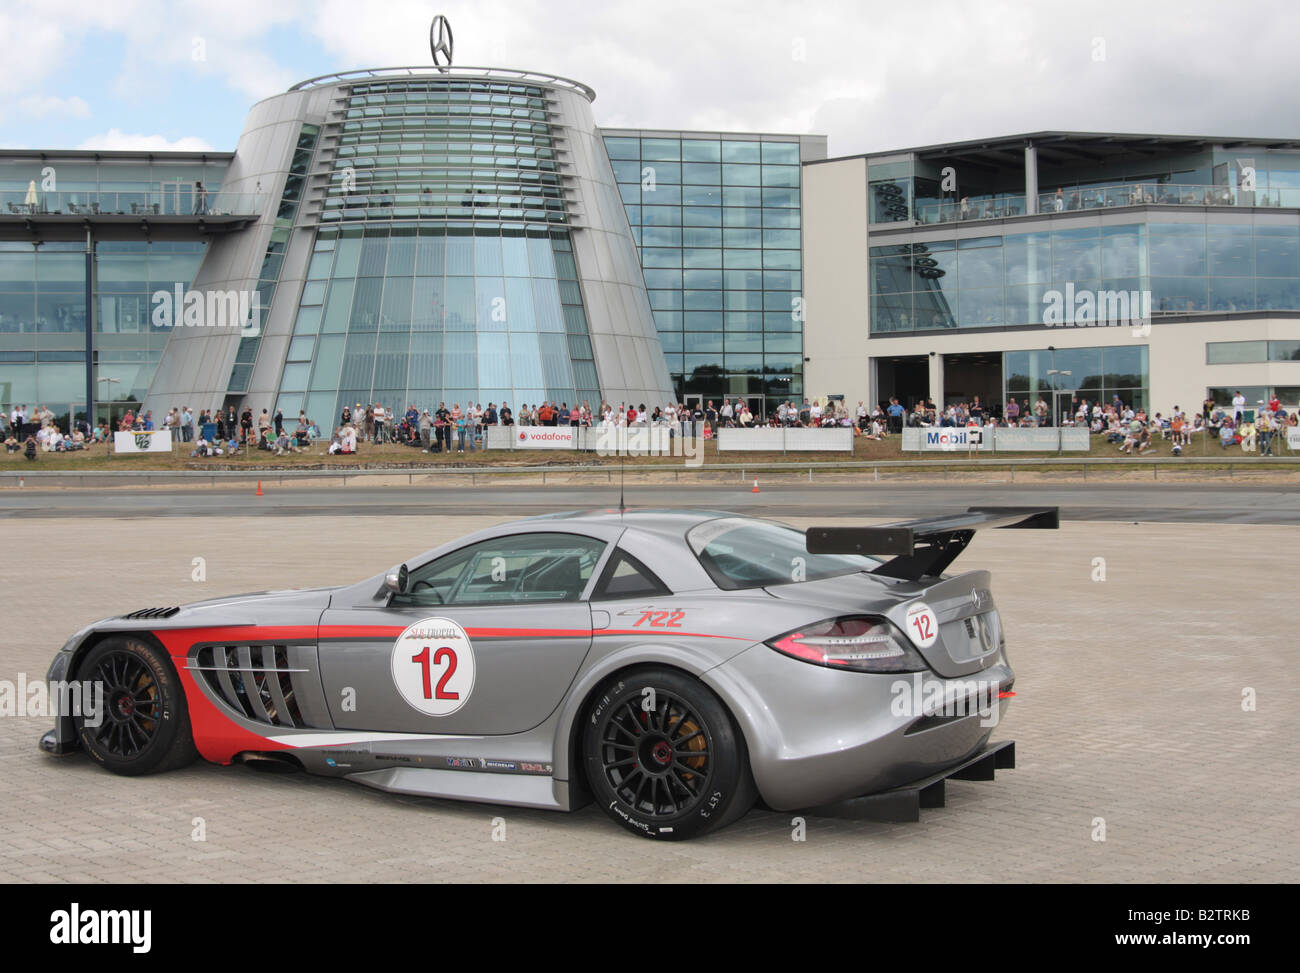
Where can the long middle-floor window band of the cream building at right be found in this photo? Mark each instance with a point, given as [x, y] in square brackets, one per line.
[1003, 280]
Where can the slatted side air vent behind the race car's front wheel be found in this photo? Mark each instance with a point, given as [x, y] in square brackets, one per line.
[258, 682]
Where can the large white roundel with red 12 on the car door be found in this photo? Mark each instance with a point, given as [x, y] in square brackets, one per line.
[434, 667]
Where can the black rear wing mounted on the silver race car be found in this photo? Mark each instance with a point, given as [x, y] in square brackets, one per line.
[926, 548]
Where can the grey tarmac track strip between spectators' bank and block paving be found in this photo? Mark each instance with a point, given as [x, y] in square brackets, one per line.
[1151, 503]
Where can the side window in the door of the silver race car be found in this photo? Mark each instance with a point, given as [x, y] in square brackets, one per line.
[521, 568]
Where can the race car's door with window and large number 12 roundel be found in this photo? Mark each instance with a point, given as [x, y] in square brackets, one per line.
[484, 641]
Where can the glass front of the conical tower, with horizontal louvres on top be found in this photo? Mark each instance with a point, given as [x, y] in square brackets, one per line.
[444, 270]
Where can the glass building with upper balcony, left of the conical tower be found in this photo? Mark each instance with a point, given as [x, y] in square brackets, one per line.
[148, 220]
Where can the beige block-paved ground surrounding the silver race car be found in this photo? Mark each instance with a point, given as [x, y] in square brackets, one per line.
[1129, 710]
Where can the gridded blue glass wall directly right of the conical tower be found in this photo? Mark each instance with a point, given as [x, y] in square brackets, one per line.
[718, 226]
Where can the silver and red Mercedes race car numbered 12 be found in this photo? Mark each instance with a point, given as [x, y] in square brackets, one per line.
[674, 667]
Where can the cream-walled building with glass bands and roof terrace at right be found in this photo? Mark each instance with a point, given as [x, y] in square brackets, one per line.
[1058, 265]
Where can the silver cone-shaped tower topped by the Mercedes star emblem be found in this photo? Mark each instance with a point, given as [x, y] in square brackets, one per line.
[441, 236]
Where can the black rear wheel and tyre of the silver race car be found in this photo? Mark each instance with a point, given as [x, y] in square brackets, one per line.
[664, 756]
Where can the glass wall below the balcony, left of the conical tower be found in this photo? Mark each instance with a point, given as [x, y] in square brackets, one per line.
[44, 321]
